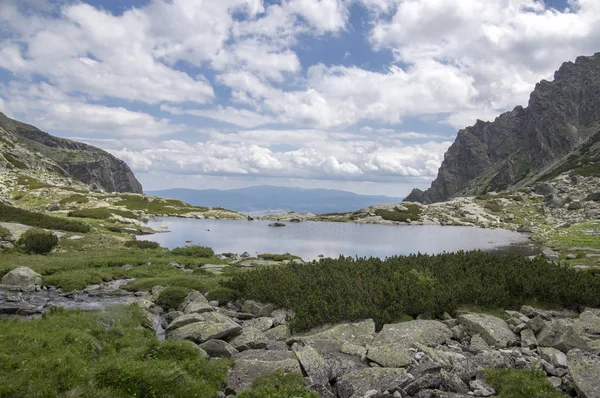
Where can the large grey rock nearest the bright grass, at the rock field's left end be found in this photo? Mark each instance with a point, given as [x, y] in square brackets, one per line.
[213, 326]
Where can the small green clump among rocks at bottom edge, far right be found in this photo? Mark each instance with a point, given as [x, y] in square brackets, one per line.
[513, 383]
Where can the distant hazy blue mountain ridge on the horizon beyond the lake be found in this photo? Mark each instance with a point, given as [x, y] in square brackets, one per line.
[267, 198]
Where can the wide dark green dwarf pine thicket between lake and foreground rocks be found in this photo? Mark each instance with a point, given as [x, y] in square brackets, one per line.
[345, 289]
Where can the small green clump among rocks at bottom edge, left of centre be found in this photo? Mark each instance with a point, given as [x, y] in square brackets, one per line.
[278, 385]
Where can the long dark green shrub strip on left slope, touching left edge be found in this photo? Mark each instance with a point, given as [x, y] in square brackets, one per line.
[33, 219]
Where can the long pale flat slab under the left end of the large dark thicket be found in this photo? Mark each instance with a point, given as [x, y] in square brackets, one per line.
[360, 333]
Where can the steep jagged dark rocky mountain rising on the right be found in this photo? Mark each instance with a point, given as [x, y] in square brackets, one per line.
[559, 130]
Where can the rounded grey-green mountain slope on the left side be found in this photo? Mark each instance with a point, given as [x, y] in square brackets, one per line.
[26, 147]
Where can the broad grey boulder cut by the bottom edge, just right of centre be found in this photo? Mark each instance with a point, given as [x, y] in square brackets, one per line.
[356, 384]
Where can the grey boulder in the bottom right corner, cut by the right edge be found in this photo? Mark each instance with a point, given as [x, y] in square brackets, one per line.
[585, 371]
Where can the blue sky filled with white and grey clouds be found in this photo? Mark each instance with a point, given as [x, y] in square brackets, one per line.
[360, 95]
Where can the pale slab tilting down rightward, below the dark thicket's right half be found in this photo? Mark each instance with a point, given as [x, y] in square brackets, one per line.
[493, 330]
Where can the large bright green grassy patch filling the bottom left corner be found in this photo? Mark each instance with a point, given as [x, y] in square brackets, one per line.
[100, 354]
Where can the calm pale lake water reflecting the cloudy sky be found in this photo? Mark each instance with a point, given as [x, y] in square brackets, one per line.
[311, 239]
